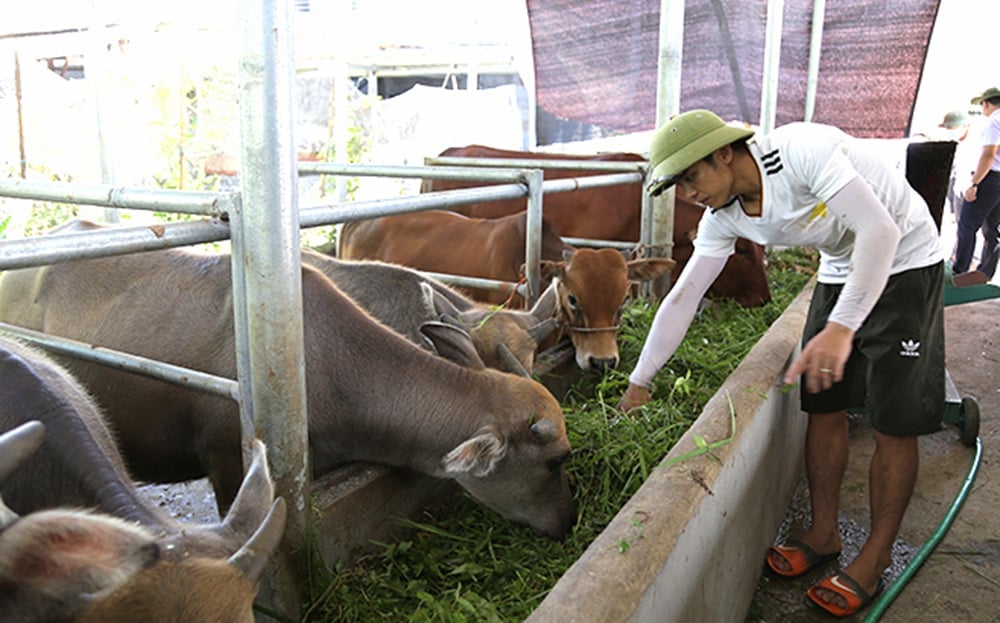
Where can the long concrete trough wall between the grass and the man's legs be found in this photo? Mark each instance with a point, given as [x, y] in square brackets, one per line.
[689, 545]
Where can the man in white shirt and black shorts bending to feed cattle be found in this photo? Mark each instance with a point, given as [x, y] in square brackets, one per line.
[874, 335]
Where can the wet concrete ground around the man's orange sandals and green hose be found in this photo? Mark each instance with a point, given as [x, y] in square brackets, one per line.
[960, 580]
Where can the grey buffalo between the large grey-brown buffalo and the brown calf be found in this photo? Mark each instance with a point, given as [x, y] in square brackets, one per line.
[404, 299]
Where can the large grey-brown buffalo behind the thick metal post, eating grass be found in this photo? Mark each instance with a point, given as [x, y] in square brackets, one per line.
[372, 395]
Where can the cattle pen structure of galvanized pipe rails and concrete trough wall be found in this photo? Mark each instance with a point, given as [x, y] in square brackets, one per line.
[688, 507]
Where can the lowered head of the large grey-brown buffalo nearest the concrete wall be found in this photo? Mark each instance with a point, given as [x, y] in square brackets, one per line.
[516, 465]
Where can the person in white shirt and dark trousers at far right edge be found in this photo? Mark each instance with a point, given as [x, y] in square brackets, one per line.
[981, 206]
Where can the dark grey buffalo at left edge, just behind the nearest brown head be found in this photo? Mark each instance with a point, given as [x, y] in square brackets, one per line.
[79, 464]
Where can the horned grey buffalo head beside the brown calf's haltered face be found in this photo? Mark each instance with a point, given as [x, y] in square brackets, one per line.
[499, 334]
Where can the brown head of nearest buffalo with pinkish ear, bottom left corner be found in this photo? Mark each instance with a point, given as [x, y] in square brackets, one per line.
[78, 566]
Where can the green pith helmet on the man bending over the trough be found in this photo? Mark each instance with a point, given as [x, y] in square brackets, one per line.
[686, 139]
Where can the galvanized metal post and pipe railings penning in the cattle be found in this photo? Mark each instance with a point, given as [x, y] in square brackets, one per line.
[263, 222]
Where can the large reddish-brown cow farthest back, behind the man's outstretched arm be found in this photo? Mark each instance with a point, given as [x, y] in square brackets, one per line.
[614, 213]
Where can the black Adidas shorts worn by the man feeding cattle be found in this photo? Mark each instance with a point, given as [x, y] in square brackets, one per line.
[896, 367]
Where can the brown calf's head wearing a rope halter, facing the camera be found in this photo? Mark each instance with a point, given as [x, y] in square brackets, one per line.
[592, 288]
